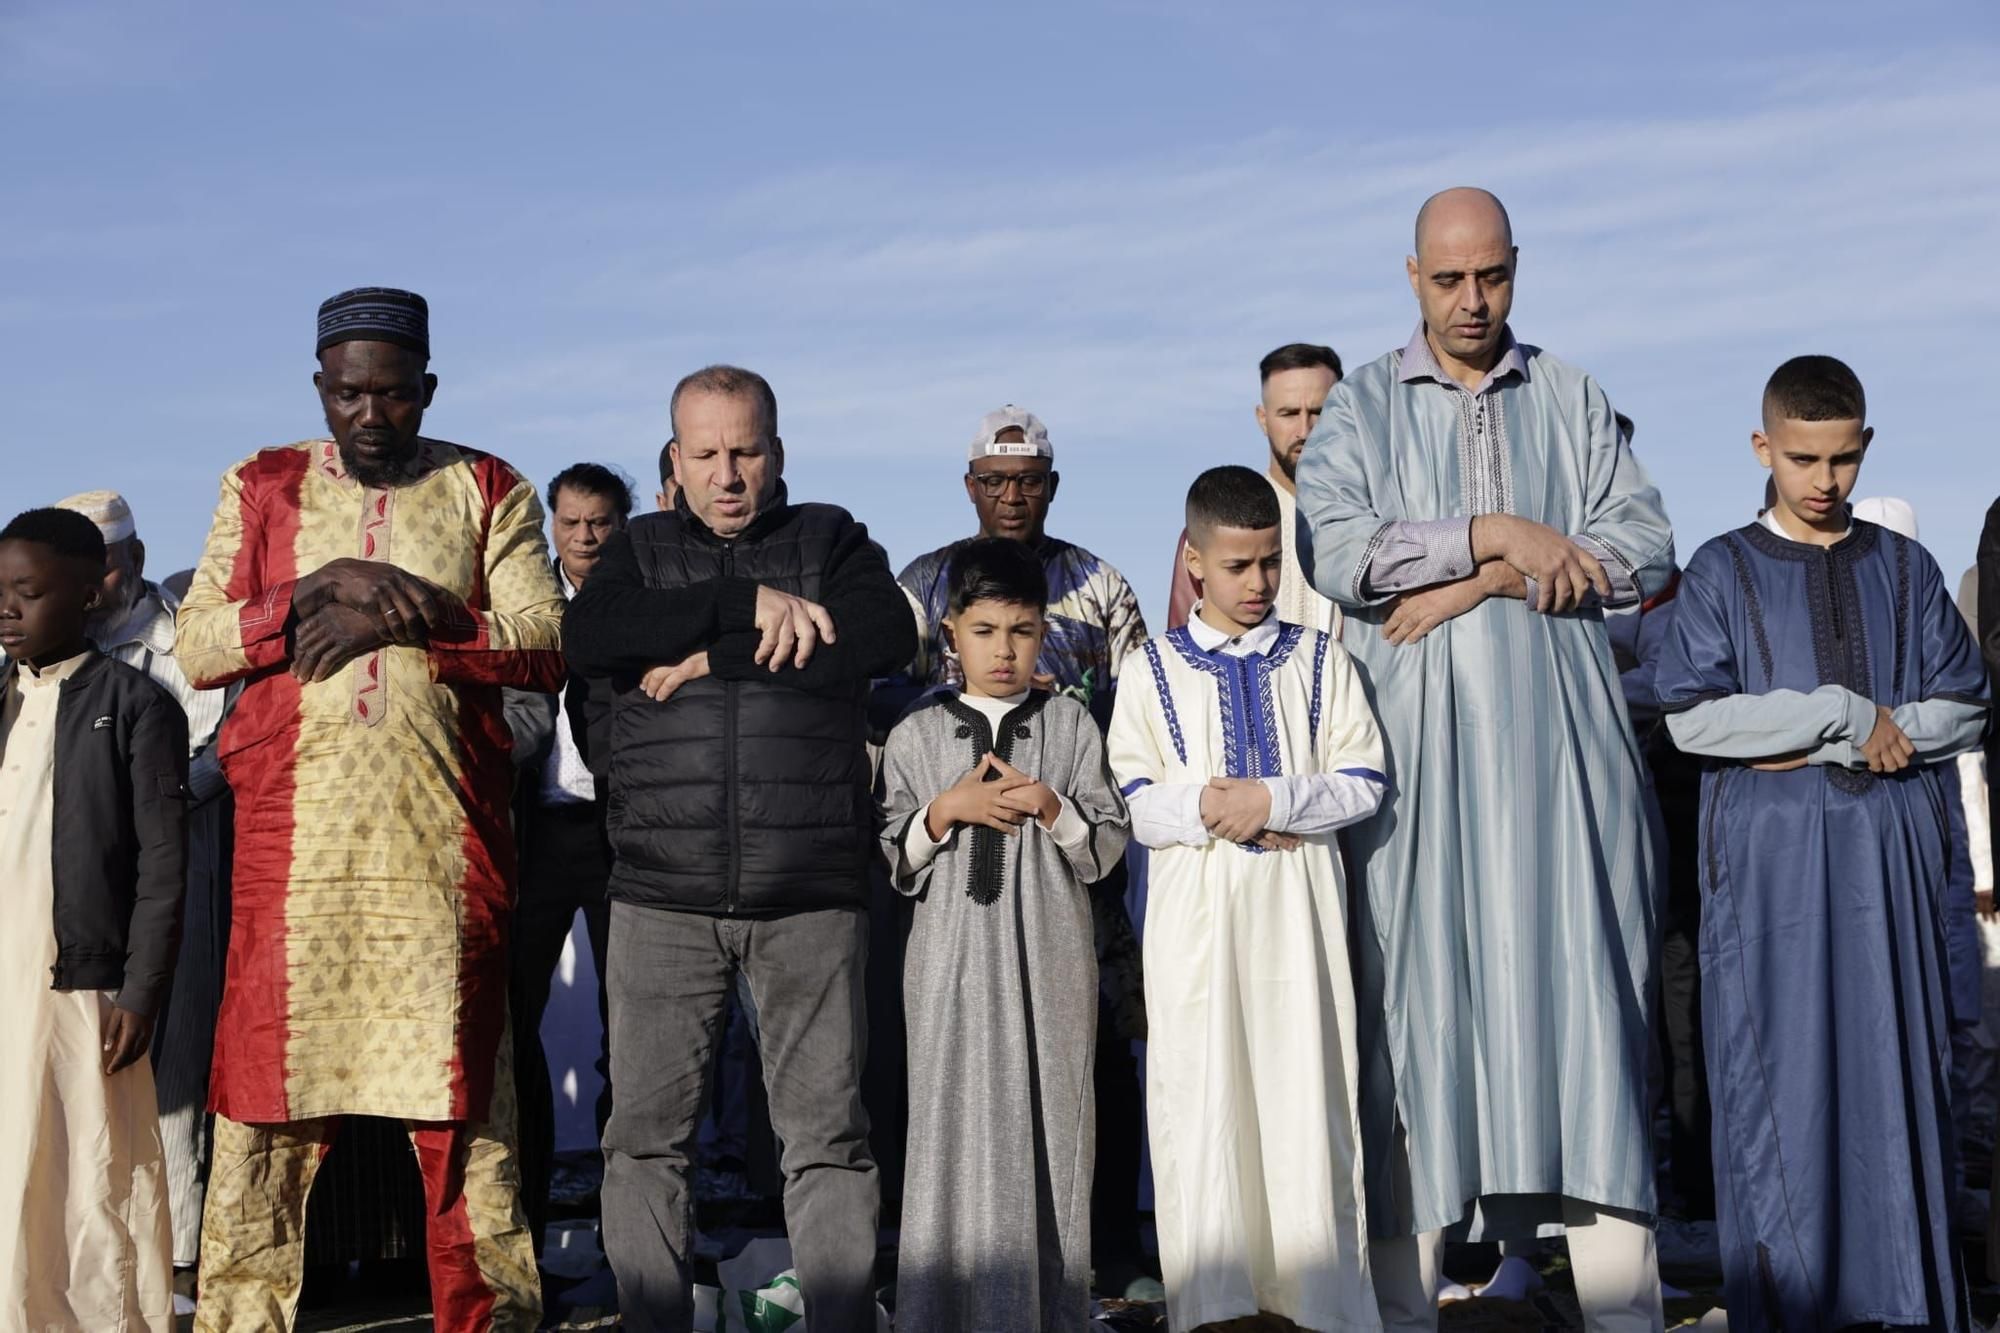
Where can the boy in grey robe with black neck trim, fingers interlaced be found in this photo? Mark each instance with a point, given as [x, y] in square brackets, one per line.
[999, 816]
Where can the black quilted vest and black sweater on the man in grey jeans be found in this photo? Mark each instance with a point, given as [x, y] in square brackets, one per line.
[745, 794]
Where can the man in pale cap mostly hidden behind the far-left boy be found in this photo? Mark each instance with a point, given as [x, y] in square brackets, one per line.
[137, 627]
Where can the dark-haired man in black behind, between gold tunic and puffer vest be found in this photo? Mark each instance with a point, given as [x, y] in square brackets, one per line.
[559, 826]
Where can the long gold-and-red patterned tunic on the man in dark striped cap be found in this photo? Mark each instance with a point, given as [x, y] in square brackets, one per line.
[375, 862]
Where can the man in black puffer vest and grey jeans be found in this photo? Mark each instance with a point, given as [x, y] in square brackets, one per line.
[739, 633]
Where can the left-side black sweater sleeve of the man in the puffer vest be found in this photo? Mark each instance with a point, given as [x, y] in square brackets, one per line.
[619, 627]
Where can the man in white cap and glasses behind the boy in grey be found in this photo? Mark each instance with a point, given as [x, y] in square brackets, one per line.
[1093, 625]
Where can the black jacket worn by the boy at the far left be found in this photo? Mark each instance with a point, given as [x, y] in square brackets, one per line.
[119, 832]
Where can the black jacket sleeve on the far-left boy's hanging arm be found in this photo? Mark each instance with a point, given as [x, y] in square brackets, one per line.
[161, 822]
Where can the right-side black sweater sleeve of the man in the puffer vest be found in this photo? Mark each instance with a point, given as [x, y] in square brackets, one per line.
[875, 629]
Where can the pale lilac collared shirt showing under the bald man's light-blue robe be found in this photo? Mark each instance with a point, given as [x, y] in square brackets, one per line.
[1423, 553]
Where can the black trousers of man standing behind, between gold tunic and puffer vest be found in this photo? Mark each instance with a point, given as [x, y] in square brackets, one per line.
[565, 864]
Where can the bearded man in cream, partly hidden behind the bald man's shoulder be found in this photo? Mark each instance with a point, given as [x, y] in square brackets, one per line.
[1295, 383]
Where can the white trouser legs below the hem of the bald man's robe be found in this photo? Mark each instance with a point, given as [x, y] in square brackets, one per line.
[1615, 1264]
